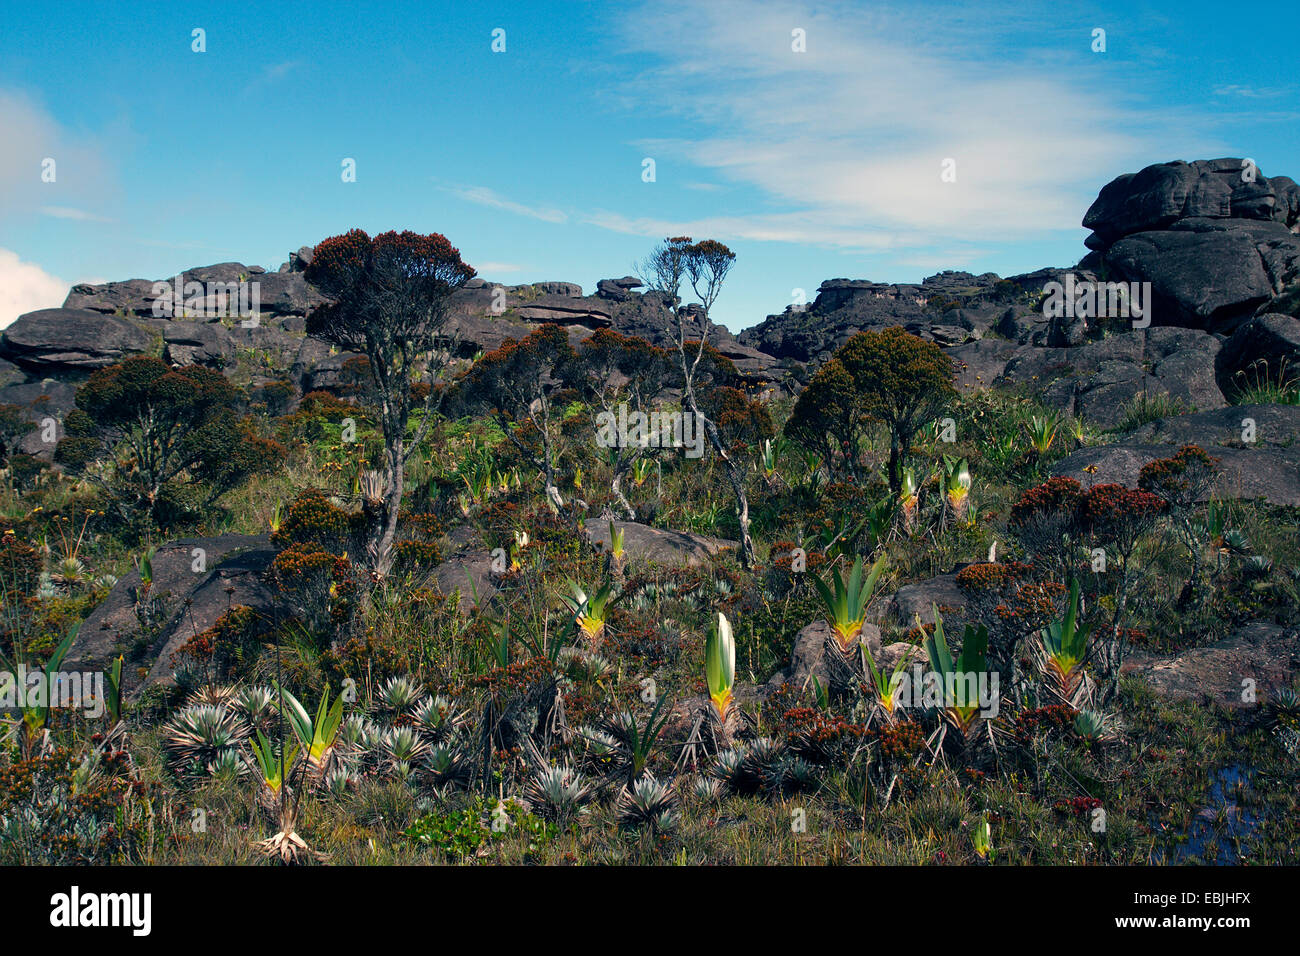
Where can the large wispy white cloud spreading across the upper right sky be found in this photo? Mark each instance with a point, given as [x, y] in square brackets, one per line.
[847, 140]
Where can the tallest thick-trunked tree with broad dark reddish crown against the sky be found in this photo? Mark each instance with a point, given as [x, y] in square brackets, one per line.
[391, 300]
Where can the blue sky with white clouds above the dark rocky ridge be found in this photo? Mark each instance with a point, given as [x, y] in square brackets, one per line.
[809, 165]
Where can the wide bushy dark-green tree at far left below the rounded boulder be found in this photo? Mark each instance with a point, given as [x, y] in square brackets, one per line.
[159, 439]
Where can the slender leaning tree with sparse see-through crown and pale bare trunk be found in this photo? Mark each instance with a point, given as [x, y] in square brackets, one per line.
[707, 266]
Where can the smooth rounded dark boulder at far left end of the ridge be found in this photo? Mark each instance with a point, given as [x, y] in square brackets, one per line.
[62, 341]
